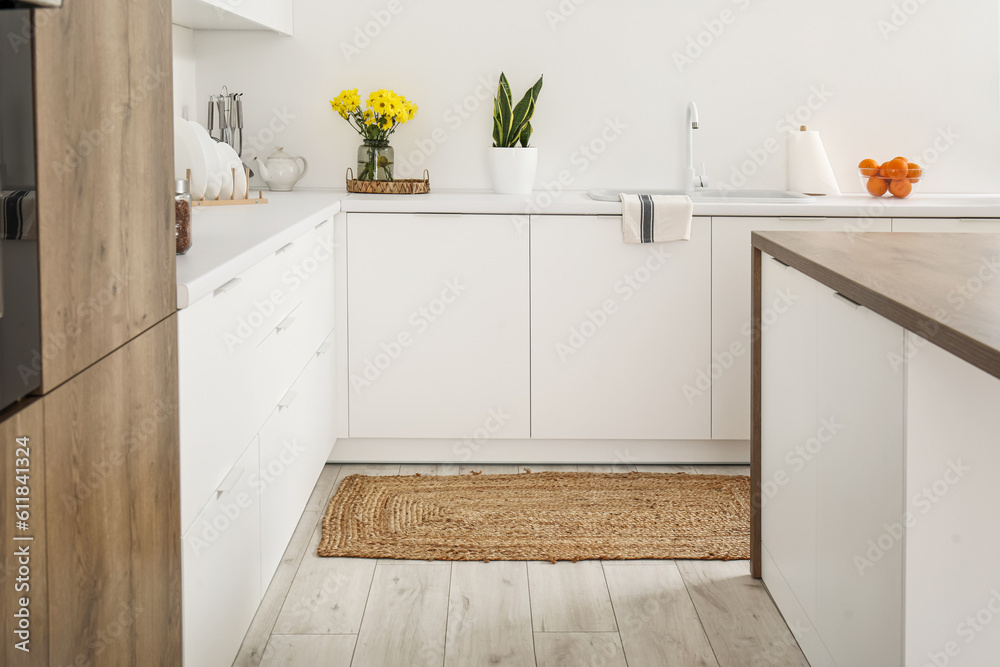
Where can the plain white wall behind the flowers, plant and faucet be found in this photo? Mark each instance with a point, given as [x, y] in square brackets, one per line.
[889, 83]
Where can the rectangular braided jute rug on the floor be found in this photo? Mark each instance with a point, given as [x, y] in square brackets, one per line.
[540, 516]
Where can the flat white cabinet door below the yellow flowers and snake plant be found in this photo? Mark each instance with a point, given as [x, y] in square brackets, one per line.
[437, 325]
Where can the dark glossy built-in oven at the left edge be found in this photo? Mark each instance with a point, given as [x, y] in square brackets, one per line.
[20, 344]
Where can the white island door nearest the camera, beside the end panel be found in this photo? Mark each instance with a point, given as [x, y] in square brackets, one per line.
[859, 597]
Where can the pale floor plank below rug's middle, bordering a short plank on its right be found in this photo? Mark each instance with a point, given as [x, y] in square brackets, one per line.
[489, 615]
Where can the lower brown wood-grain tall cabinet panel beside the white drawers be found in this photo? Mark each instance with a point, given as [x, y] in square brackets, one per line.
[112, 481]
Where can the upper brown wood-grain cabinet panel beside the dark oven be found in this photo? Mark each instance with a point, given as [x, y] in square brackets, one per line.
[105, 178]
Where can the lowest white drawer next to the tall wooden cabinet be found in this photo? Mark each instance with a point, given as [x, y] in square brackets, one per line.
[221, 569]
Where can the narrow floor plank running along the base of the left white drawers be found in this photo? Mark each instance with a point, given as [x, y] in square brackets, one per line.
[267, 613]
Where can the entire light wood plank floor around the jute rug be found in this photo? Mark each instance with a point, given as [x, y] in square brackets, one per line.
[384, 613]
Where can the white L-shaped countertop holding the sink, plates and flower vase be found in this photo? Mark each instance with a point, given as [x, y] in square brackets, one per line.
[228, 240]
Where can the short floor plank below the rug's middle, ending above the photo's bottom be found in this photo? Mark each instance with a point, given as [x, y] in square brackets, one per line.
[570, 597]
